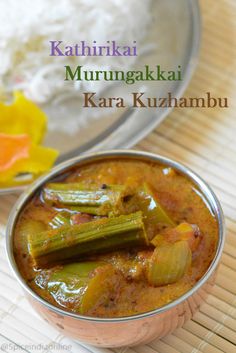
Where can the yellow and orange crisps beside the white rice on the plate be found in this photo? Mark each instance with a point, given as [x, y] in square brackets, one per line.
[22, 128]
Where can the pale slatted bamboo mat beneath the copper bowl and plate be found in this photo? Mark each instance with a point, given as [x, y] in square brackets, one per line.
[203, 139]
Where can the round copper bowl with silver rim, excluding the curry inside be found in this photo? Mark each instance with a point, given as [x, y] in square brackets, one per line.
[131, 330]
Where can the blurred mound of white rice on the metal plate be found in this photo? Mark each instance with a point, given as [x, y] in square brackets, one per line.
[27, 26]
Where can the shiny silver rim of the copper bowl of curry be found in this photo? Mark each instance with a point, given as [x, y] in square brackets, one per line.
[206, 190]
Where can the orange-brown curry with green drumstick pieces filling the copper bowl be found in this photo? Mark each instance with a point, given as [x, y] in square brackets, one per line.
[115, 238]
